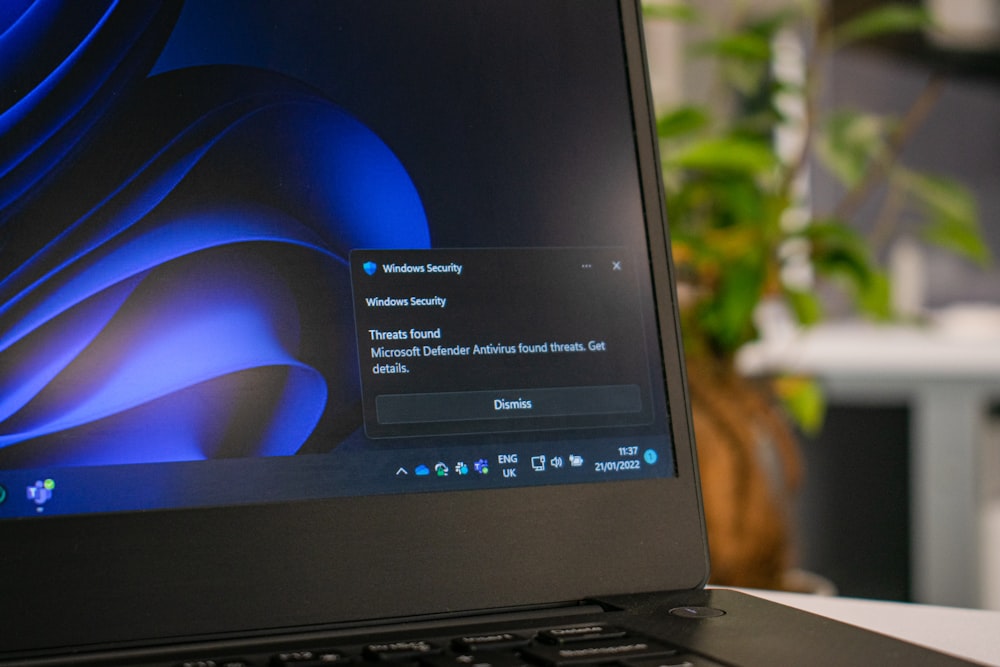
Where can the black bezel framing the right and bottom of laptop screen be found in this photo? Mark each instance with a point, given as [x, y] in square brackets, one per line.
[157, 576]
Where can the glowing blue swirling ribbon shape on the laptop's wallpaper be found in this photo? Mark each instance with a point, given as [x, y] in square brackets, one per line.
[173, 246]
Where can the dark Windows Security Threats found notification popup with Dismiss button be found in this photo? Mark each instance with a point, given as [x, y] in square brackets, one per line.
[488, 340]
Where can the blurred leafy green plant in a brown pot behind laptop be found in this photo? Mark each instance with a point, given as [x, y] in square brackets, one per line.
[746, 241]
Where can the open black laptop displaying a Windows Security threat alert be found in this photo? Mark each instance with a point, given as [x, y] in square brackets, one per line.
[345, 332]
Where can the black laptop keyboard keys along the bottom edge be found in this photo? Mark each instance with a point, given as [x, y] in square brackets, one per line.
[567, 646]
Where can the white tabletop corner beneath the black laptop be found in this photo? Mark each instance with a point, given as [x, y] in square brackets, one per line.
[973, 634]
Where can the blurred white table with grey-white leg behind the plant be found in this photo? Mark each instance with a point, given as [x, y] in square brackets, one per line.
[948, 375]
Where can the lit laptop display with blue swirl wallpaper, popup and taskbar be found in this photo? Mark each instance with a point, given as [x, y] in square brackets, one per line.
[292, 251]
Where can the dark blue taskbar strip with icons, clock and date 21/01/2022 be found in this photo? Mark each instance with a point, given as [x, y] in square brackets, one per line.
[62, 491]
